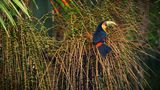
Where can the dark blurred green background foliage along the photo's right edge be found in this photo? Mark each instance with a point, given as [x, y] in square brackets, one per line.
[154, 37]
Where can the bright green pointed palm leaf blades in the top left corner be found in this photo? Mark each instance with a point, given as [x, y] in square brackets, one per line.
[9, 9]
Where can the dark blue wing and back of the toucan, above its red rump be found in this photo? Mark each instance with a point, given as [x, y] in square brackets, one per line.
[98, 36]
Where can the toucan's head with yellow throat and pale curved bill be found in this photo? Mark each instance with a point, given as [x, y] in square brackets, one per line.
[107, 25]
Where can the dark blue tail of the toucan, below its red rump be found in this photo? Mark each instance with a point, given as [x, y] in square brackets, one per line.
[104, 50]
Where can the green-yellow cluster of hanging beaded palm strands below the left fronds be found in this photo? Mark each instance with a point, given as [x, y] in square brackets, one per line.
[23, 62]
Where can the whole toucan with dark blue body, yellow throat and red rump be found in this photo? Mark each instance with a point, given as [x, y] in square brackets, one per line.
[99, 37]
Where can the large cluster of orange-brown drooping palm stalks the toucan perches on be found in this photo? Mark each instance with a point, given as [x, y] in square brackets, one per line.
[78, 64]
